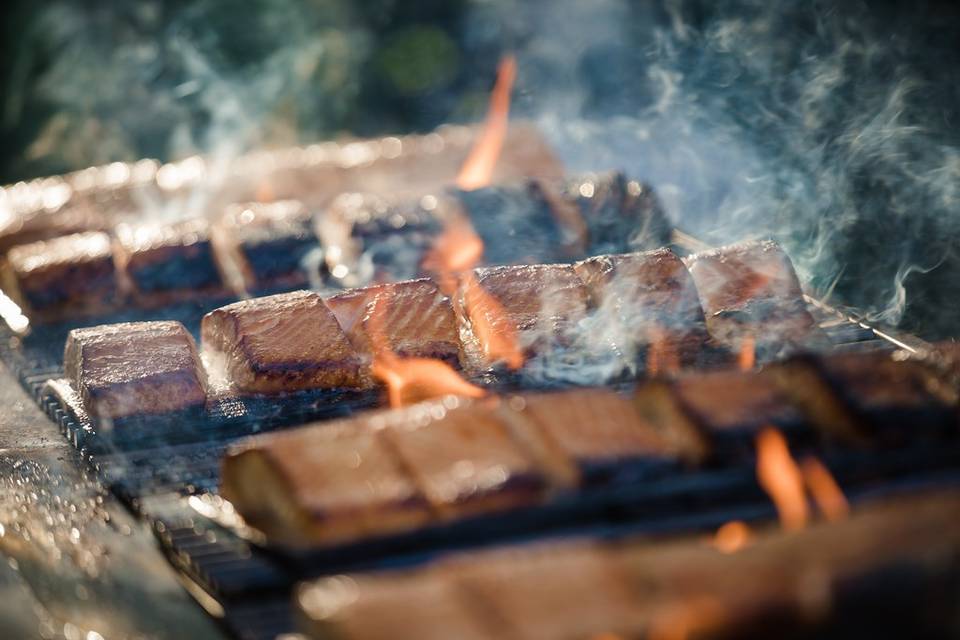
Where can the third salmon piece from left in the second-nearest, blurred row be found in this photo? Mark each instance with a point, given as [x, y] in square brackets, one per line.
[591, 435]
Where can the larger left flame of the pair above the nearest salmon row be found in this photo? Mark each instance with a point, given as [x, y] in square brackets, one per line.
[780, 477]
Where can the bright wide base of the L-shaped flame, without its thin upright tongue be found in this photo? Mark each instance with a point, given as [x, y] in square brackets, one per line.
[411, 380]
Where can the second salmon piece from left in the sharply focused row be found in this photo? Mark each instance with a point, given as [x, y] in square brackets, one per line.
[282, 343]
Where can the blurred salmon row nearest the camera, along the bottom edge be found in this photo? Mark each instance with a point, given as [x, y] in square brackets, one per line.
[637, 588]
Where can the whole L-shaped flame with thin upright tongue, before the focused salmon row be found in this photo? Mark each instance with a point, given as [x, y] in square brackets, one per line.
[410, 380]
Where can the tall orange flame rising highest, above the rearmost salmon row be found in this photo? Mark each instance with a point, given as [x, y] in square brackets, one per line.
[477, 170]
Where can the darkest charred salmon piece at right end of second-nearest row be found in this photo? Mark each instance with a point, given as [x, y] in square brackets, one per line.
[880, 397]
